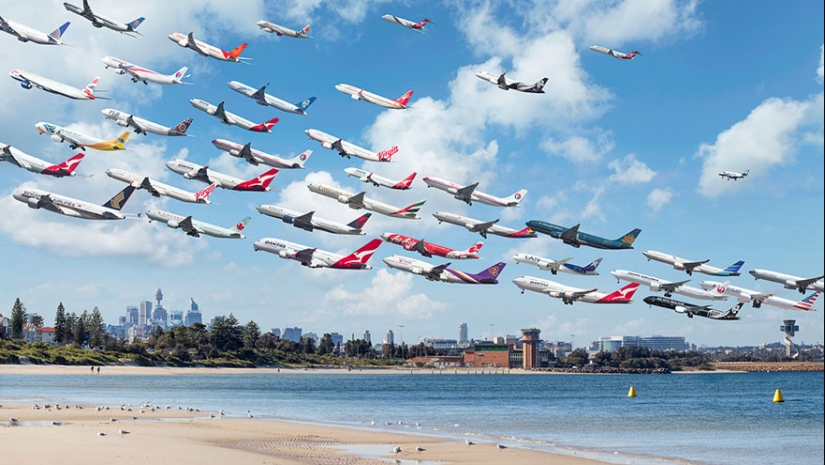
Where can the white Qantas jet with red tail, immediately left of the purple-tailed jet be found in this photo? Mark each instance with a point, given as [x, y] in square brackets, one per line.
[315, 258]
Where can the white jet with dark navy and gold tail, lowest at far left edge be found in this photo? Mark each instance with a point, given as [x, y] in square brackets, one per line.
[36, 198]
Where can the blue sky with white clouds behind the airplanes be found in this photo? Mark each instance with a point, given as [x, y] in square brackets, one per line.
[612, 144]
